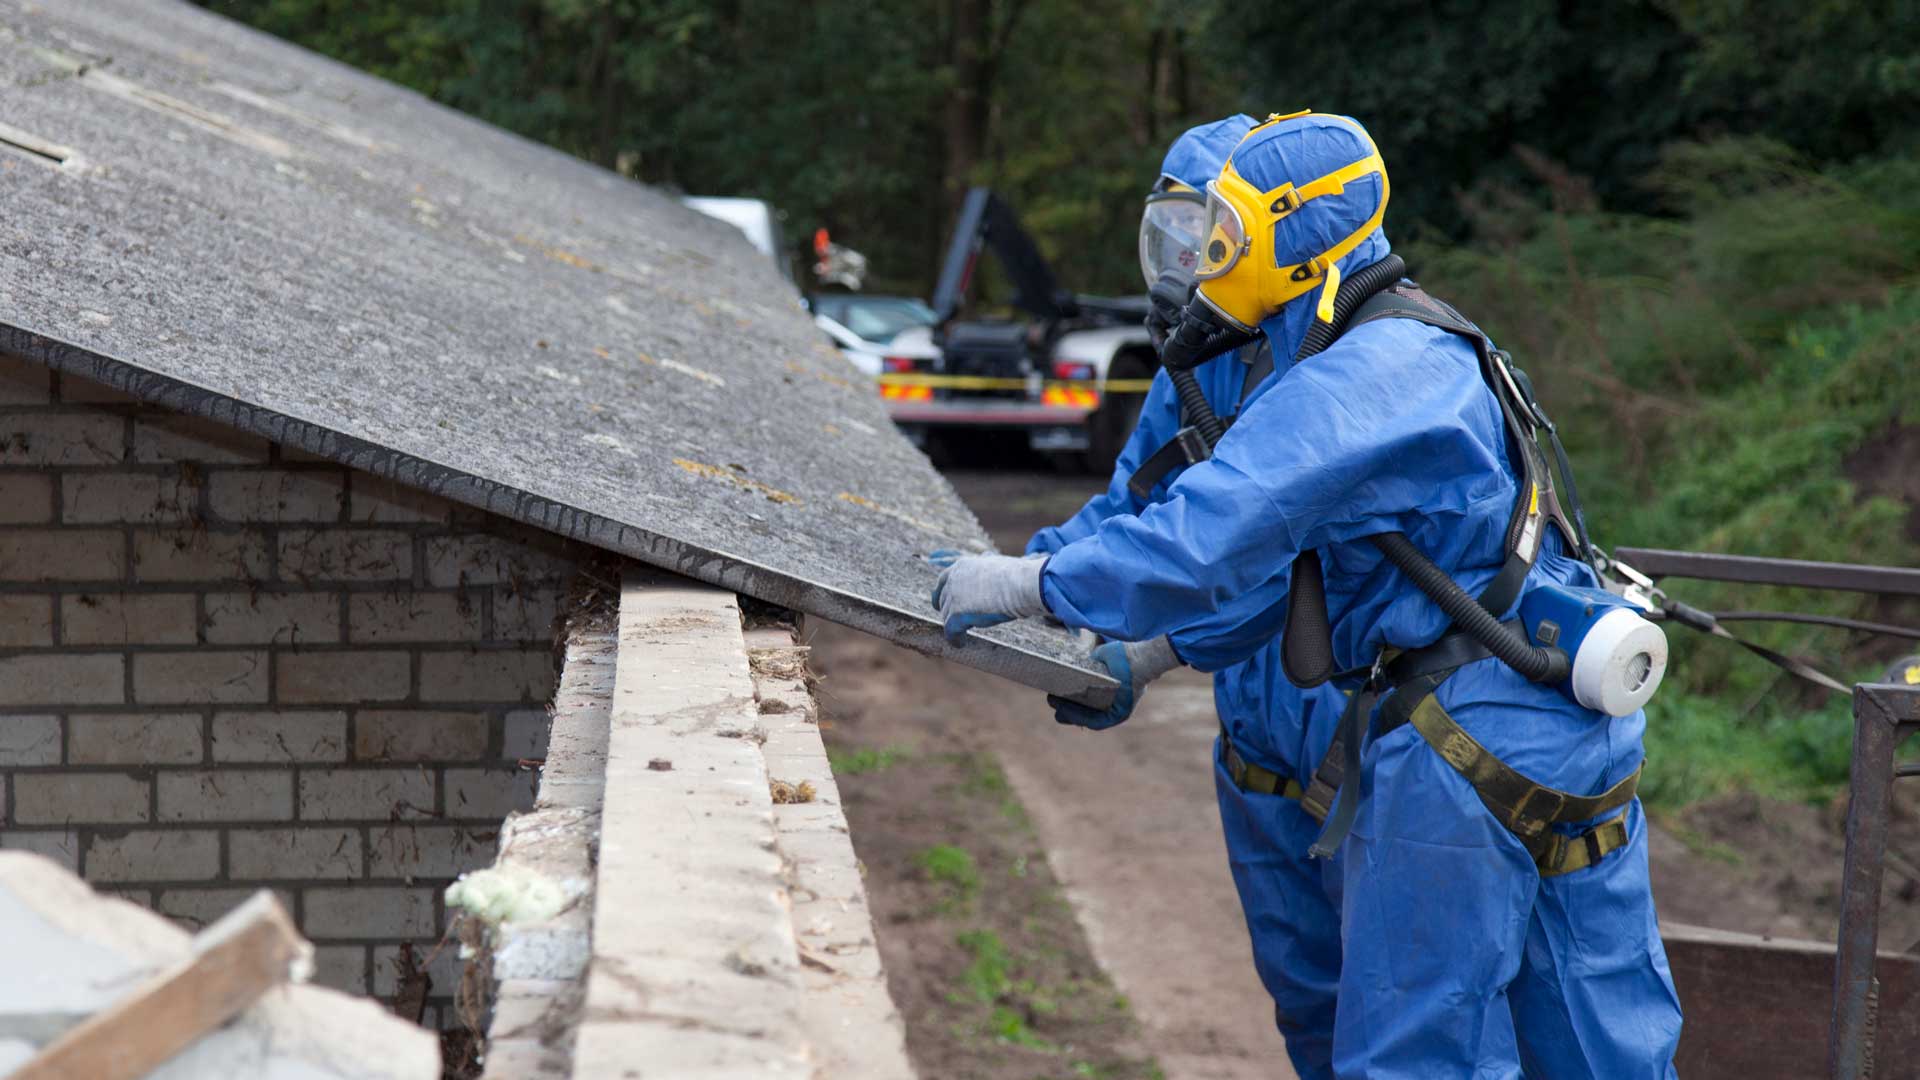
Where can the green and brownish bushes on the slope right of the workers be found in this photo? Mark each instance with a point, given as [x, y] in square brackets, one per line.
[1716, 378]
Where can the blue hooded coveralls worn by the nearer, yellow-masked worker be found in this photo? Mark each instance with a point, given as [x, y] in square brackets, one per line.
[1458, 958]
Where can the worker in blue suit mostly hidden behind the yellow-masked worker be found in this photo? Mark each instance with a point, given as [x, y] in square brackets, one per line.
[1272, 731]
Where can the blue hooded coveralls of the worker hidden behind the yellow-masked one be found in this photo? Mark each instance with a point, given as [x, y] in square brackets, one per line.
[1291, 902]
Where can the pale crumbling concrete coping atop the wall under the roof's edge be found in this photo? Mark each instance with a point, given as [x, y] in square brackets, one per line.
[723, 935]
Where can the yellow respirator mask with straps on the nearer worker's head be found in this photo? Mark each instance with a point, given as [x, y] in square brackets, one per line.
[1237, 272]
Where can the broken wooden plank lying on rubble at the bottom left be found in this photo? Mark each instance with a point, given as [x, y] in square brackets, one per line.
[235, 962]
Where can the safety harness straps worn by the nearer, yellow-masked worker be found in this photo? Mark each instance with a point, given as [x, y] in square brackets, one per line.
[1545, 820]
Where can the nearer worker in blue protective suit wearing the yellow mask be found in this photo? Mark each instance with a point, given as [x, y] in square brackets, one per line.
[1487, 931]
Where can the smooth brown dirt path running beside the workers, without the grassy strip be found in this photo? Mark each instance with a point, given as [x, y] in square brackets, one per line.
[1126, 818]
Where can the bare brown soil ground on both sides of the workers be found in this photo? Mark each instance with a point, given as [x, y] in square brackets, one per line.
[1124, 827]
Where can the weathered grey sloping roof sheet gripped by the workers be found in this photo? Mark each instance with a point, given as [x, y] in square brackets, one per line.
[260, 235]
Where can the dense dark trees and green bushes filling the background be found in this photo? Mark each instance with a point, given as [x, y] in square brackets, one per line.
[1694, 220]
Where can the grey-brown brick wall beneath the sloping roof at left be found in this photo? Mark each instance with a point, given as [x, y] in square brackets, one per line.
[229, 666]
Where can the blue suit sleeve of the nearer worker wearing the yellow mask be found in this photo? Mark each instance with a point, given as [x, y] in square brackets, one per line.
[1378, 433]
